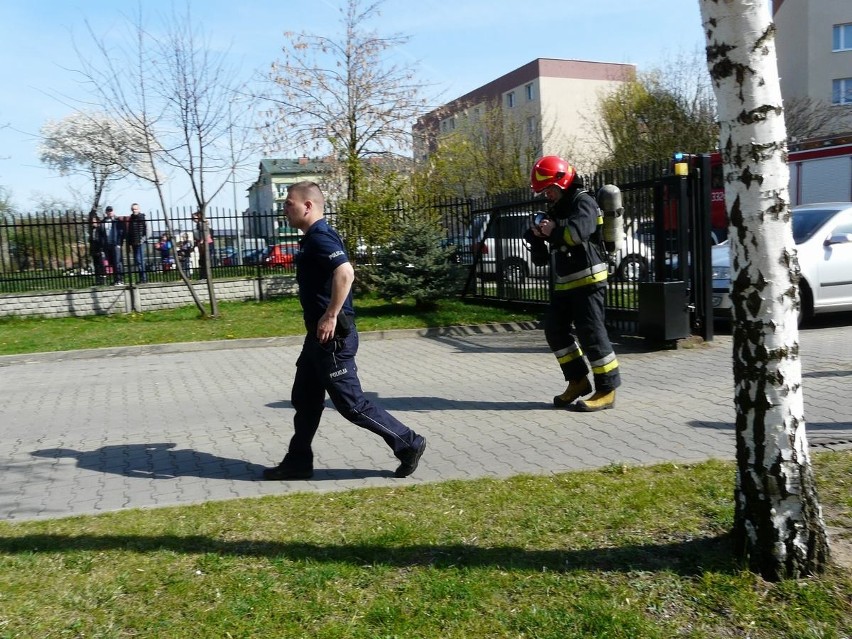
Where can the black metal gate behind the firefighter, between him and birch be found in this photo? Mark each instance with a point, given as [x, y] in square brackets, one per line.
[666, 248]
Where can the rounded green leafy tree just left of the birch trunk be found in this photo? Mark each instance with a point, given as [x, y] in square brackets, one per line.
[663, 111]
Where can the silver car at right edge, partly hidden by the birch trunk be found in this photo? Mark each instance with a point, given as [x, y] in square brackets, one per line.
[823, 236]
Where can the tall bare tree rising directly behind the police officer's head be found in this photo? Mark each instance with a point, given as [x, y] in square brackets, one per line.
[342, 96]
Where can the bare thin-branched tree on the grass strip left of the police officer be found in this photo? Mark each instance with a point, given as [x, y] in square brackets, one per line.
[180, 100]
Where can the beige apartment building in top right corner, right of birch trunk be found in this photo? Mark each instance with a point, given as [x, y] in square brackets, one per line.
[814, 48]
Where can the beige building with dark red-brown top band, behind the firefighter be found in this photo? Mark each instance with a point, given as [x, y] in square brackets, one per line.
[553, 102]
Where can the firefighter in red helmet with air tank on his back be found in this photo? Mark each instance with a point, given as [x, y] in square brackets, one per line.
[570, 237]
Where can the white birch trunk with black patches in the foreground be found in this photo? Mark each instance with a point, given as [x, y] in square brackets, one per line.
[778, 526]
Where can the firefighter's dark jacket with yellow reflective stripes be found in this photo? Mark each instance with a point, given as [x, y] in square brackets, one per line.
[577, 255]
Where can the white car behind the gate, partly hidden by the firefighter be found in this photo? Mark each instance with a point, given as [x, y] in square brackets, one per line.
[631, 262]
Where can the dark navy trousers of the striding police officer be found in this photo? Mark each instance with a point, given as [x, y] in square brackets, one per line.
[330, 369]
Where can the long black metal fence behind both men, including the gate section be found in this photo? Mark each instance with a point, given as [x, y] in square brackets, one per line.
[51, 251]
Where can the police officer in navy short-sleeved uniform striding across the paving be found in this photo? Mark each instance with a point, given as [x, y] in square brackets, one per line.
[327, 361]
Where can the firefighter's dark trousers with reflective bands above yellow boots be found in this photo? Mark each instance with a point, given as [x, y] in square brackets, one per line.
[576, 333]
